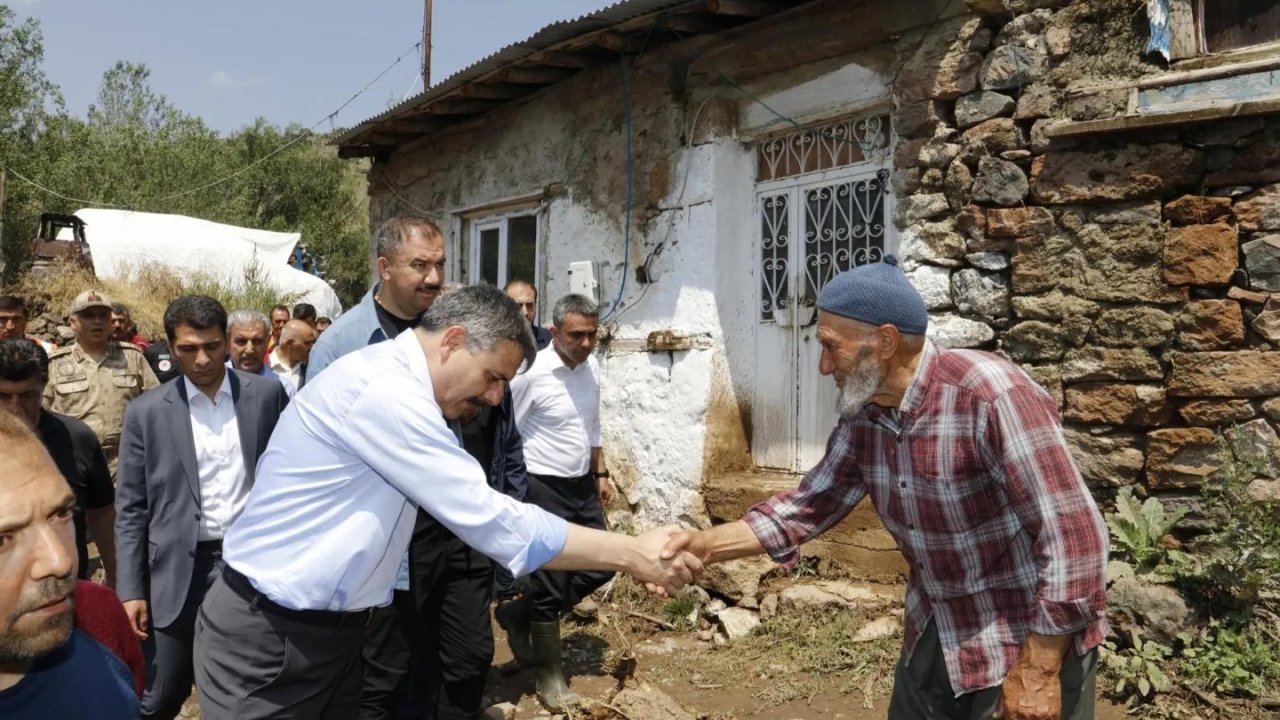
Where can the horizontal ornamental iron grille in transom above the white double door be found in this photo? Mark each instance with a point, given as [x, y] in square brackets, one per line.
[836, 145]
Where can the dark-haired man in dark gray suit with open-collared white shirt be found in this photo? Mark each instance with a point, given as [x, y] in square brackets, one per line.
[188, 458]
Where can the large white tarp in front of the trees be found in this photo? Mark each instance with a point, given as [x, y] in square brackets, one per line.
[124, 240]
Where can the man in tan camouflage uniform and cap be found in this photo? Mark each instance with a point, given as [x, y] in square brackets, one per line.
[93, 380]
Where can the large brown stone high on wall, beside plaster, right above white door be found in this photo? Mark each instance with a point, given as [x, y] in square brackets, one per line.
[936, 62]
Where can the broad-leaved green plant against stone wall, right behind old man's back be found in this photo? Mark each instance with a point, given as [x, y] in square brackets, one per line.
[1140, 532]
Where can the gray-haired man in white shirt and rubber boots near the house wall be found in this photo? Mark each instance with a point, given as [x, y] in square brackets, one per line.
[557, 408]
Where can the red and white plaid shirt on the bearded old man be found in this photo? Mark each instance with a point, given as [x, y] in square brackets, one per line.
[973, 480]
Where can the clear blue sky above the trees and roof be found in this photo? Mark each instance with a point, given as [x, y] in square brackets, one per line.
[231, 62]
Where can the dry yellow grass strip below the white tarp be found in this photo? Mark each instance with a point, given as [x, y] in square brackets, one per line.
[147, 290]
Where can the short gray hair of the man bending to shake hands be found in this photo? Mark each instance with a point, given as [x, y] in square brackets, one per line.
[487, 315]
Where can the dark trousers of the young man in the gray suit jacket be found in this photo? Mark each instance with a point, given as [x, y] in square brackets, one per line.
[168, 651]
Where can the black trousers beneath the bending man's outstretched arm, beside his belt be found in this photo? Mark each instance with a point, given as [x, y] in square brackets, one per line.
[431, 655]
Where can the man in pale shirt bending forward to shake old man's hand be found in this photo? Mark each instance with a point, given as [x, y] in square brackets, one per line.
[322, 539]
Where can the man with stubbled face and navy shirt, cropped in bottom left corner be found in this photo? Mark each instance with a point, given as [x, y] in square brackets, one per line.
[66, 650]
